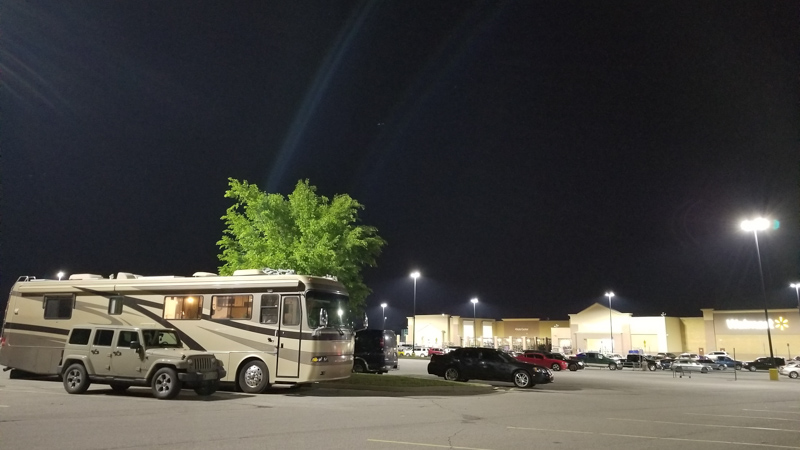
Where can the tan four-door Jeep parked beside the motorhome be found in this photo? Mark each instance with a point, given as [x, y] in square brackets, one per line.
[124, 356]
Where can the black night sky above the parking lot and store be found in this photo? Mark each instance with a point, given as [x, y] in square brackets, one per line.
[532, 154]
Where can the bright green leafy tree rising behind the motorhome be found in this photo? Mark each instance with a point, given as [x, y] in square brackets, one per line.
[307, 233]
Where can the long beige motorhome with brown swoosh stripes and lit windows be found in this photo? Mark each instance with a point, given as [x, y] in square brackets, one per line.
[265, 328]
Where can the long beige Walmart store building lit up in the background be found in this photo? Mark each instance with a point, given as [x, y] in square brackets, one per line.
[599, 328]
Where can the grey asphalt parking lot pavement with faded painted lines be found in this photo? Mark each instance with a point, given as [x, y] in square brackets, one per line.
[593, 408]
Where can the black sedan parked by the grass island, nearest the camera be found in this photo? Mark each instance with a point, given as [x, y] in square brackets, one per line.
[487, 364]
